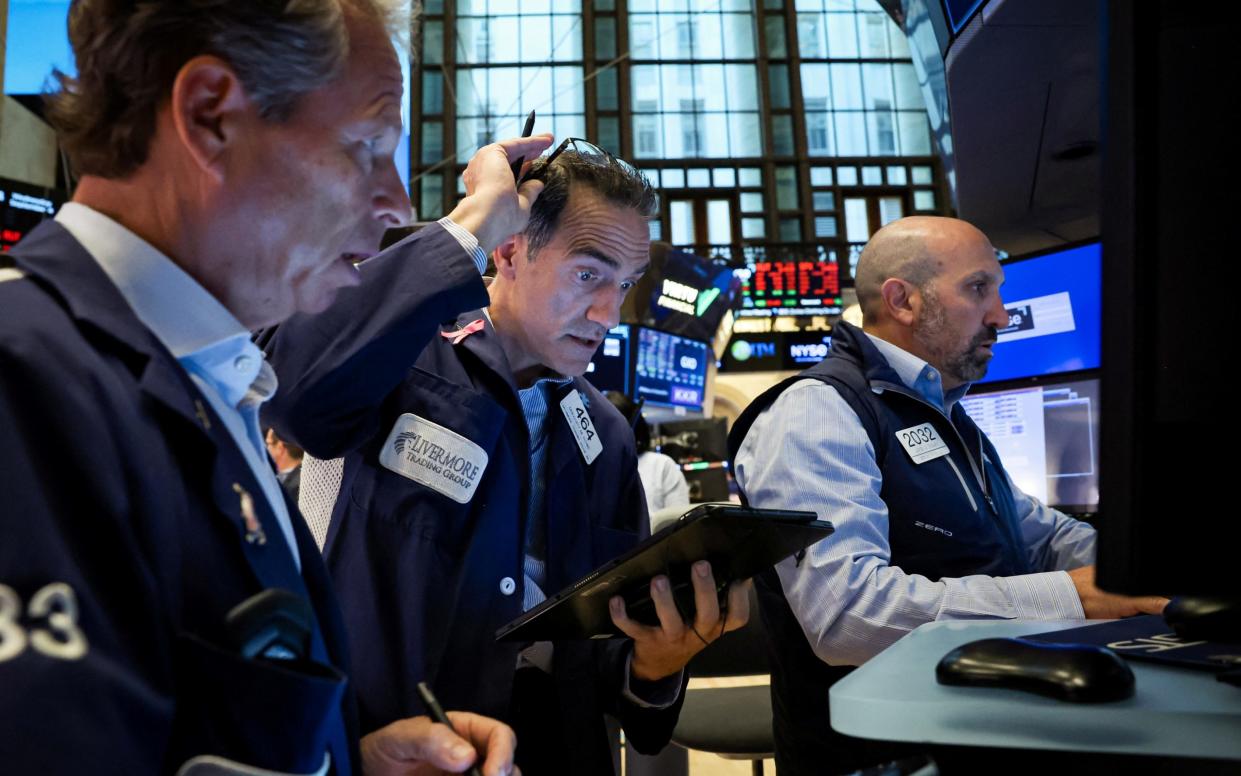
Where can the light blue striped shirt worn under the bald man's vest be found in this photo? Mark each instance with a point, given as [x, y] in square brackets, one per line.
[810, 451]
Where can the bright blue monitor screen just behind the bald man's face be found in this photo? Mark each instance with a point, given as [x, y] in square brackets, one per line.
[1053, 302]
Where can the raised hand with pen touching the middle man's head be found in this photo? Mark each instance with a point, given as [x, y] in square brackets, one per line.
[495, 208]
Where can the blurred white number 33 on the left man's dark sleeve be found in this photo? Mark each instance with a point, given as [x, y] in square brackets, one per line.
[54, 633]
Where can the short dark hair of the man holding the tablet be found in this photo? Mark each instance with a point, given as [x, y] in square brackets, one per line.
[622, 187]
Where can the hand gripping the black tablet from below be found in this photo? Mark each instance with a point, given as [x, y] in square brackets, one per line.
[662, 651]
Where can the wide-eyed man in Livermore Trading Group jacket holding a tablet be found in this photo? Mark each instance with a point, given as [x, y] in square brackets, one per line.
[485, 474]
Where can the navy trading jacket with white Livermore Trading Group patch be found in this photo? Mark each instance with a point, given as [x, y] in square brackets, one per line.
[429, 573]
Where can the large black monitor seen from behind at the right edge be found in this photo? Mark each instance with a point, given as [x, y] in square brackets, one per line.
[1168, 485]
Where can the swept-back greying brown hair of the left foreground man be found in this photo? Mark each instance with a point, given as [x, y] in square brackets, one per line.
[130, 53]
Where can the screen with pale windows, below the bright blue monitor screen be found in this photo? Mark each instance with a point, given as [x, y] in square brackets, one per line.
[1048, 438]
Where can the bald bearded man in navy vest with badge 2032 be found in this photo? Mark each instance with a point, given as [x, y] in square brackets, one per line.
[929, 523]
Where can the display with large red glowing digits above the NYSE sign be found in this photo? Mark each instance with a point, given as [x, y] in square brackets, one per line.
[790, 289]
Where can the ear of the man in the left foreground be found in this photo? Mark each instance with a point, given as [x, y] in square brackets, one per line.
[209, 110]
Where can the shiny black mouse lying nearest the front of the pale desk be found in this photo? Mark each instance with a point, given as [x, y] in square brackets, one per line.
[1069, 672]
